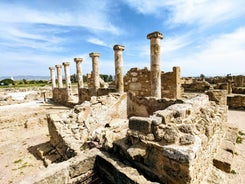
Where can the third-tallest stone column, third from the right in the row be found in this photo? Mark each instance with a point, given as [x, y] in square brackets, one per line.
[95, 70]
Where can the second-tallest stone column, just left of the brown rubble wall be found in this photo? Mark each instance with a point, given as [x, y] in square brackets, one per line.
[119, 67]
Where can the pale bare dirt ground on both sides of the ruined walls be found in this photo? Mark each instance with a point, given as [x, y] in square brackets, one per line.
[24, 126]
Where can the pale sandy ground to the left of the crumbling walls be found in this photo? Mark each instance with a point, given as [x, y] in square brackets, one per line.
[22, 128]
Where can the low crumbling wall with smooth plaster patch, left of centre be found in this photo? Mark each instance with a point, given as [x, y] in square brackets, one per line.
[102, 119]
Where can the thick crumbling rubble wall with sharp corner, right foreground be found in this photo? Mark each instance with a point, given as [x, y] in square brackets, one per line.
[175, 145]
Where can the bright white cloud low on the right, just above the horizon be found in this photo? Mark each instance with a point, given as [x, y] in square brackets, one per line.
[218, 56]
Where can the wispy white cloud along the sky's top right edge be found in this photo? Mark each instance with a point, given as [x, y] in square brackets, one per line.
[201, 12]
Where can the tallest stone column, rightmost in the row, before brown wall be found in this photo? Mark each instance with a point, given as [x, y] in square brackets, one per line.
[155, 38]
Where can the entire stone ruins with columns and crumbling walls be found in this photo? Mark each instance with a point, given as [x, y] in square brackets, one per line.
[146, 126]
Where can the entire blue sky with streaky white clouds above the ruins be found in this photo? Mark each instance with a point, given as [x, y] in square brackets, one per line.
[201, 36]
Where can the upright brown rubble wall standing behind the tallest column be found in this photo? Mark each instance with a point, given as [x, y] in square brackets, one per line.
[137, 81]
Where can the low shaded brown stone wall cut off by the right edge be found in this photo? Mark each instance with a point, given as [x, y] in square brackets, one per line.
[236, 102]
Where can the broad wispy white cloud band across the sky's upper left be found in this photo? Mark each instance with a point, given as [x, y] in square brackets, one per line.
[92, 16]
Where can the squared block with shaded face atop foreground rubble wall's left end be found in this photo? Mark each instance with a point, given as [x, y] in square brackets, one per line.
[140, 124]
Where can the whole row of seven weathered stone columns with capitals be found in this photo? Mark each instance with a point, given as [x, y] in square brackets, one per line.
[154, 37]
